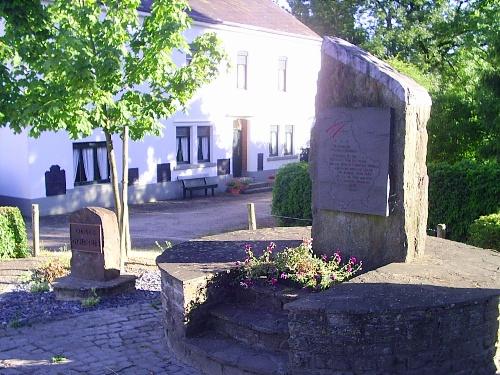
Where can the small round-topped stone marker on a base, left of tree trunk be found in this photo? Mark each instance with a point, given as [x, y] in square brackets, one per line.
[95, 256]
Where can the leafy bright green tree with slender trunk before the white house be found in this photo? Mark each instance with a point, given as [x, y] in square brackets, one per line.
[82, 65]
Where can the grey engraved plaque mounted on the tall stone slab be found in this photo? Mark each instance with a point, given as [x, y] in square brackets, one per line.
[353, 160]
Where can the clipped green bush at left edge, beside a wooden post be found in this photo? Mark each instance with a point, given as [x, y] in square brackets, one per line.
[13, 238]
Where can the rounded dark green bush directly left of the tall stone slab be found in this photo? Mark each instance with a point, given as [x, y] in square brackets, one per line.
[292, 195]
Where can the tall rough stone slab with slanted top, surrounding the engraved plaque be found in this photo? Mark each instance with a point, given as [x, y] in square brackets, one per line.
[352, 78]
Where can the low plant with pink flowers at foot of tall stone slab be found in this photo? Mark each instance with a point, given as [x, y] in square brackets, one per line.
[298, 266]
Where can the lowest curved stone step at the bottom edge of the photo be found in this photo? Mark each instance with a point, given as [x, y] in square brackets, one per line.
[218, 355]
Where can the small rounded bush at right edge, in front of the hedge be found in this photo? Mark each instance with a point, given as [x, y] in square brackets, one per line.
[485, 232]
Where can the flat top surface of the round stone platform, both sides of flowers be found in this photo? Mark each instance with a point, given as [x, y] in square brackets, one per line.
[449, 272]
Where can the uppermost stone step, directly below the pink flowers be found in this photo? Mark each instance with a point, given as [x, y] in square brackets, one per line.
[269, 298]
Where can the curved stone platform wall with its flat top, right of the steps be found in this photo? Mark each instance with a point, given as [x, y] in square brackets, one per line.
[437, 315]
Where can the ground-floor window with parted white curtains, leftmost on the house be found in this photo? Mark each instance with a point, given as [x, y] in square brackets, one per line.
[90, 162]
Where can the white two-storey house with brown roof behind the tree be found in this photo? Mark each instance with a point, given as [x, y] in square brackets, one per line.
[251, 120]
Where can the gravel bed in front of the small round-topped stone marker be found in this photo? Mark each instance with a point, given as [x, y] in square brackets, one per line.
[22, 307]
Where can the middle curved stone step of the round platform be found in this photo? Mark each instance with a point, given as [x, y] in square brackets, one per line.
[257, 328]
